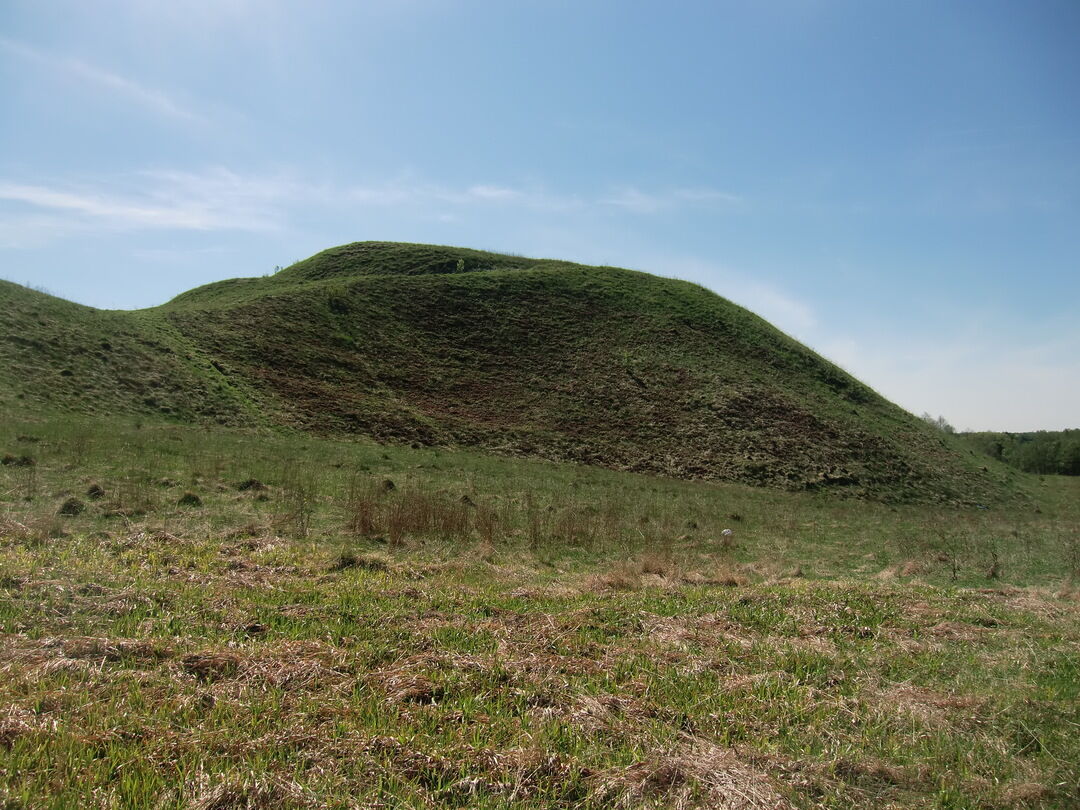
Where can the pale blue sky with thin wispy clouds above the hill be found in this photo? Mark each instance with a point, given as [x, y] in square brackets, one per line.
[897, 185]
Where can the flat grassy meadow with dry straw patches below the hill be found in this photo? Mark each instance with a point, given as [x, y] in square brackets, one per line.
[212, 619]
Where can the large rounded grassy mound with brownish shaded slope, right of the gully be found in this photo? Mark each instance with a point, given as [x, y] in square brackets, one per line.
[599, 366]
